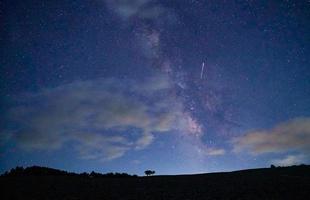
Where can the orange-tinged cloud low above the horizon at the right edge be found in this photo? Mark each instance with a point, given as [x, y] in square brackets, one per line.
[293, 135]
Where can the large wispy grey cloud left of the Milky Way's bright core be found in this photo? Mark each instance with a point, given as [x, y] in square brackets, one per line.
[102, 119]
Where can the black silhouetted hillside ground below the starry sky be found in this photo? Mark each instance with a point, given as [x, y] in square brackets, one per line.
[277, 183]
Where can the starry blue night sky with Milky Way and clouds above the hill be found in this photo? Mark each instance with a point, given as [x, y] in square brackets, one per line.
[178, 86]
